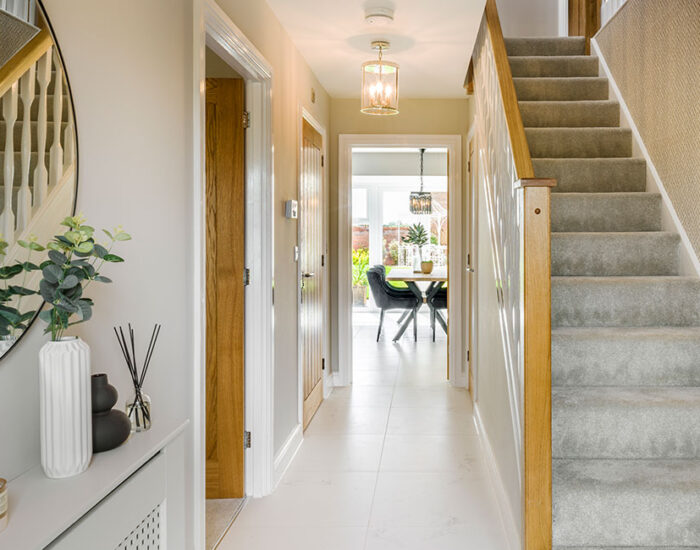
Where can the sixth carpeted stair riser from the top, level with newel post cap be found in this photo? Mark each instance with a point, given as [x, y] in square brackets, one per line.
[593, 175]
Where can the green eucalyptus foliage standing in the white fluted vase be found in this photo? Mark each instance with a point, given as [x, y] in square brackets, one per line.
[75, 259]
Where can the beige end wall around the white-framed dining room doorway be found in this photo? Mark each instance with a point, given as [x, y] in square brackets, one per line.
[417, 116]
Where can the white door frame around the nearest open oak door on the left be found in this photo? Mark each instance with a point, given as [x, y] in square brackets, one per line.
[213, 28]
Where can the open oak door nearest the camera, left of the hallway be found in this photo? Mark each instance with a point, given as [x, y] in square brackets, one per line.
[225, 297]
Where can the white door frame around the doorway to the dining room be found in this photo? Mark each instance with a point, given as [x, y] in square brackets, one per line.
[343, 340]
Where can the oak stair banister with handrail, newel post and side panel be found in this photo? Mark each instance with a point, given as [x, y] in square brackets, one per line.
[518, 212]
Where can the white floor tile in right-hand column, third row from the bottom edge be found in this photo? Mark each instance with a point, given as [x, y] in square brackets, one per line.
[432, 453]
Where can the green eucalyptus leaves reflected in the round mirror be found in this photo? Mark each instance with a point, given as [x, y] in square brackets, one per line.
[12, 318]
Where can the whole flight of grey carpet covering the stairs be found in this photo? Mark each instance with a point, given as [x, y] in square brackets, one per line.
[625, 323]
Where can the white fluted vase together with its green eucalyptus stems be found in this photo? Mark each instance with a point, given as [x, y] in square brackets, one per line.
[74, 261]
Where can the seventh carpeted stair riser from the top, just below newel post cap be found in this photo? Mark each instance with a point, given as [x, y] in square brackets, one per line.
[575, 212]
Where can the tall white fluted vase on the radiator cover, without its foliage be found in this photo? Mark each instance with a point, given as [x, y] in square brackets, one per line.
[66, 407]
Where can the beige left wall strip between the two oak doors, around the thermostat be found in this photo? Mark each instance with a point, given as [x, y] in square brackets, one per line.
[291, 88]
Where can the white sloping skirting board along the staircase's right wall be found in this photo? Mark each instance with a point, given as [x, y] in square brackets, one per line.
[690, 265]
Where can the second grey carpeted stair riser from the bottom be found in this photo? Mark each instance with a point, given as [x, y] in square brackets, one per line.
[626, 423]
